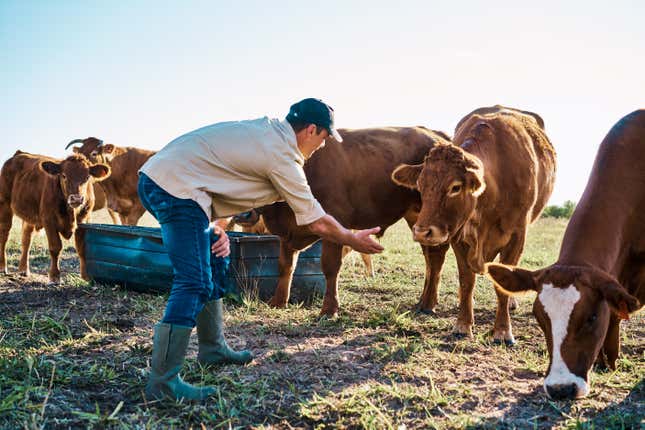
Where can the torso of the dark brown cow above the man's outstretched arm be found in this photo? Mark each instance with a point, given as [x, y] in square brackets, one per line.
[352, 179]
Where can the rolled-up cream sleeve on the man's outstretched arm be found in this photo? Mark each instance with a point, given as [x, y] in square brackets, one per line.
[290, 181]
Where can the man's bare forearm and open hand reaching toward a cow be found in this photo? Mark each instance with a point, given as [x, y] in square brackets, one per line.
[329, 229]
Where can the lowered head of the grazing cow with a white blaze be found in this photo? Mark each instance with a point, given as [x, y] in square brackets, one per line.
[573, 307]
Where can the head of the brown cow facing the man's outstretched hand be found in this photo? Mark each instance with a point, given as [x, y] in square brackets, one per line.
[450, 180]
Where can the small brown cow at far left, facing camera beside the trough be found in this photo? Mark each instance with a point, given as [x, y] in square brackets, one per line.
[56, 195]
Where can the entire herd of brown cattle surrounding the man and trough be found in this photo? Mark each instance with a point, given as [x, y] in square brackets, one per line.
[476, 193]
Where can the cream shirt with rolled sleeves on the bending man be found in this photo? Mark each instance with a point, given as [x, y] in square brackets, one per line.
[232, 167]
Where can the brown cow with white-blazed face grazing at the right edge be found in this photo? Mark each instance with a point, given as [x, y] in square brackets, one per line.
[599, 277]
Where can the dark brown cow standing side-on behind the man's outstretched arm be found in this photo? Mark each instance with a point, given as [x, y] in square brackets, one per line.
[351, 180]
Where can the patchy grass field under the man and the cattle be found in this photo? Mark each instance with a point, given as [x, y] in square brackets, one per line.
[76, 355]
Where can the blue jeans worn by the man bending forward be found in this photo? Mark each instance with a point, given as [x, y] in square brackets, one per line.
[187, 238]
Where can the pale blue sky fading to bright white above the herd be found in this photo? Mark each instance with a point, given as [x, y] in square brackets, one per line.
[139, 73]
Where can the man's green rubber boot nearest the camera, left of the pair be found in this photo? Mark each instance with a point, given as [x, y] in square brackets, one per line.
[168, 351]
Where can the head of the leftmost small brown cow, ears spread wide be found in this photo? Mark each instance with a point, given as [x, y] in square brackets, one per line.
[75, 174]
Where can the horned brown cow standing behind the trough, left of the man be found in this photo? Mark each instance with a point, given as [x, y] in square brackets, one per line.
[121, 187]
